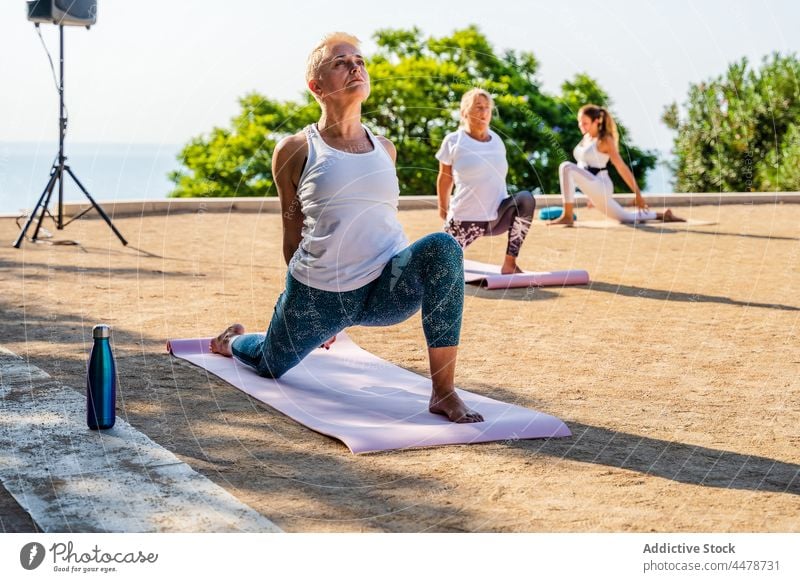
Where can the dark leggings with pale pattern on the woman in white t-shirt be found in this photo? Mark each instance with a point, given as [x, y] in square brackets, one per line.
[514, 216]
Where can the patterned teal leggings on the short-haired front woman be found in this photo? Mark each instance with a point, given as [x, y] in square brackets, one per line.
[428, 274]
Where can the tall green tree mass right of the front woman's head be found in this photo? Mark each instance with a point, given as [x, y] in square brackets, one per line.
[417, 87]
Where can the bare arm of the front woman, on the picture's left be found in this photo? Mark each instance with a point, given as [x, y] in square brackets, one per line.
[287, 166]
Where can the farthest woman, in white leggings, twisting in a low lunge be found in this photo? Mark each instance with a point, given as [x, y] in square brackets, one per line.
[590, 174]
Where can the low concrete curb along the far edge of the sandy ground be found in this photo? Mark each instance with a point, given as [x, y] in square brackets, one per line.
[271, 205]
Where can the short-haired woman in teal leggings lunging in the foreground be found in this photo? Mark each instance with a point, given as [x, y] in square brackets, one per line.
[349, 261]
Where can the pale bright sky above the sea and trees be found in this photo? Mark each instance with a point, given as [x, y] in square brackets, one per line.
[161, 72]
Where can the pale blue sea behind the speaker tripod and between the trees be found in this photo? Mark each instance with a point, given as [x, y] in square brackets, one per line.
[116, 172]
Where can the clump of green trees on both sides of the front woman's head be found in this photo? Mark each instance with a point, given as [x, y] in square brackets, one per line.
[417, 84]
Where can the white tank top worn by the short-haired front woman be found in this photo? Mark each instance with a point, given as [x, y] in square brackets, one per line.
[349, 202]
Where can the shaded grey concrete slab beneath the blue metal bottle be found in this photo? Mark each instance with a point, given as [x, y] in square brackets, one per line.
[71, 479]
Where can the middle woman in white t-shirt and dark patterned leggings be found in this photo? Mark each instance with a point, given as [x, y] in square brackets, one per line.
[473, 158]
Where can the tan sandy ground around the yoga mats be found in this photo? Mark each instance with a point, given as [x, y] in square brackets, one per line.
[677, 369]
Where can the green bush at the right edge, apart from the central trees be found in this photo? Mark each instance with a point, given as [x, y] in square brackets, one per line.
[739, 132]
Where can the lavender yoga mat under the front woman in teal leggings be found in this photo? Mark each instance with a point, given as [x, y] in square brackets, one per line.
[367, 403]
